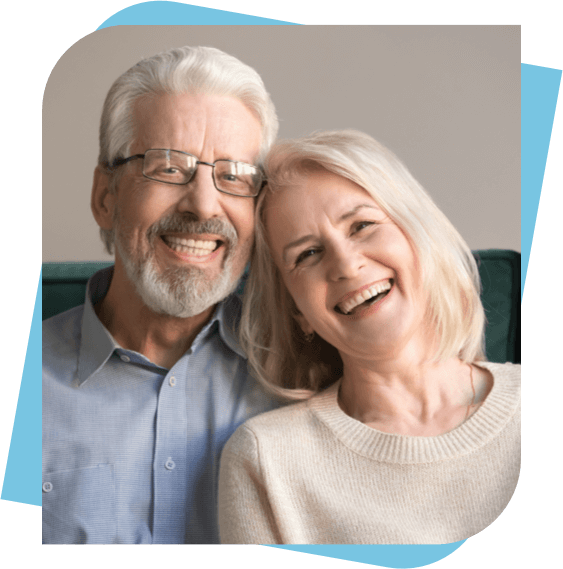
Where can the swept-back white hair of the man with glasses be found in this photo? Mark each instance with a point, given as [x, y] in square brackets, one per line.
[194, 70]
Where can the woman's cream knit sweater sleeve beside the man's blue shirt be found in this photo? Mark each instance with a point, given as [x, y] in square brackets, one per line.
[245, 515]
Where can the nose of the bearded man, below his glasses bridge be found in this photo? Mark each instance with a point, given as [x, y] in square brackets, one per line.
[200, 197]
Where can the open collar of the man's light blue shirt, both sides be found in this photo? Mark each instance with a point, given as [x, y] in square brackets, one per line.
[97, 344]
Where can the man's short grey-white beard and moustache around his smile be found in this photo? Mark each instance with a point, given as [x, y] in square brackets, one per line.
[184, 291]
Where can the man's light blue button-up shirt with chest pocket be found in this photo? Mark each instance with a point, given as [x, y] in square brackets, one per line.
[130, 449]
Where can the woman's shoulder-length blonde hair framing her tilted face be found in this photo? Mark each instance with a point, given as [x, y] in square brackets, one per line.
[278, 352]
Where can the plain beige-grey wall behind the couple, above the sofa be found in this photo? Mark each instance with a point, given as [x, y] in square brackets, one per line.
[445, 99]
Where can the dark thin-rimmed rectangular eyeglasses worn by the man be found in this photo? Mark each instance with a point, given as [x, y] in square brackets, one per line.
[178, 168]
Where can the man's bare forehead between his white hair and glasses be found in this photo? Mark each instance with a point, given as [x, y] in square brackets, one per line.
[197, 123]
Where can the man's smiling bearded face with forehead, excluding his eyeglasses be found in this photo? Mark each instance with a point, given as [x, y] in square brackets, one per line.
[185, 247]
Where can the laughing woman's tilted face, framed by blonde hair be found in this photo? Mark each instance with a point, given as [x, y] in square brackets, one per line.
[335, 248]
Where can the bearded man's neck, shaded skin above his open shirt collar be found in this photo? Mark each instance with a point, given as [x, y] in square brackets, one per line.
[161, 338]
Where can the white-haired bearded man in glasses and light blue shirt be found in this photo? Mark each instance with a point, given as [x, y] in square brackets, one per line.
[145, 382]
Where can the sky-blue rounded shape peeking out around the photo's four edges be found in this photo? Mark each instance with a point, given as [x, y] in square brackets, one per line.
[540, 88]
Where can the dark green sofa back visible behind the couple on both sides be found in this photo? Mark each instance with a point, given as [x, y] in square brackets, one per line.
[64, 286]
